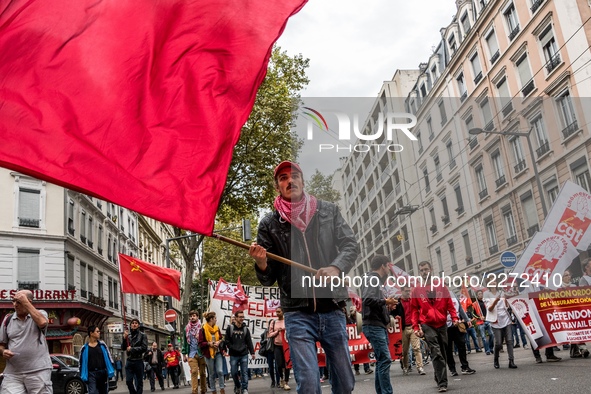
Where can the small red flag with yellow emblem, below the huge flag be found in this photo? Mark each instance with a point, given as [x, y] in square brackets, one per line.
[139, 277]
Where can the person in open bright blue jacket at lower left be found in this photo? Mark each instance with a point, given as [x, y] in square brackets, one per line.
[96, 363]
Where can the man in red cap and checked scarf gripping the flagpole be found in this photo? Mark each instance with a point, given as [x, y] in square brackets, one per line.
[311, 232]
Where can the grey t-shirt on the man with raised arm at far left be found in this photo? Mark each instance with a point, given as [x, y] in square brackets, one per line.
[24, 338]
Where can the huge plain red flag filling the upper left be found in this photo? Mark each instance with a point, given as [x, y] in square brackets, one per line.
[136, 102]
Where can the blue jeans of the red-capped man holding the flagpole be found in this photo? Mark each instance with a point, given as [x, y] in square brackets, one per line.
[303, 330]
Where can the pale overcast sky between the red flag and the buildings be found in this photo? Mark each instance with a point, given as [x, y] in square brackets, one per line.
[354, 46]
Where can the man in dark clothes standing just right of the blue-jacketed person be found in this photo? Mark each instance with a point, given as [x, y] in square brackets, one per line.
[135, 343]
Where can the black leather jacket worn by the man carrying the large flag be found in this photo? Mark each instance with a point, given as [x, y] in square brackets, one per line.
[328, 240]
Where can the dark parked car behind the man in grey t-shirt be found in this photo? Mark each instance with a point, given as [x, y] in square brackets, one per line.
[65, 376]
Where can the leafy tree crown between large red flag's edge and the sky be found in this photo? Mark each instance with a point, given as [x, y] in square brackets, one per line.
[266, 139]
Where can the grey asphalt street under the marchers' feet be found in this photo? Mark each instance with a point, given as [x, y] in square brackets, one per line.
[569, 376]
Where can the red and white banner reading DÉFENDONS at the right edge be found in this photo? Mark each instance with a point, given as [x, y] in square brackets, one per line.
[551, 317]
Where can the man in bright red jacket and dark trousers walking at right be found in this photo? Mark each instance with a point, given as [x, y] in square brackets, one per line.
[430, 305]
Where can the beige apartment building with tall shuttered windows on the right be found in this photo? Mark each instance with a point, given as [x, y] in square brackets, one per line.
[517, 71]
